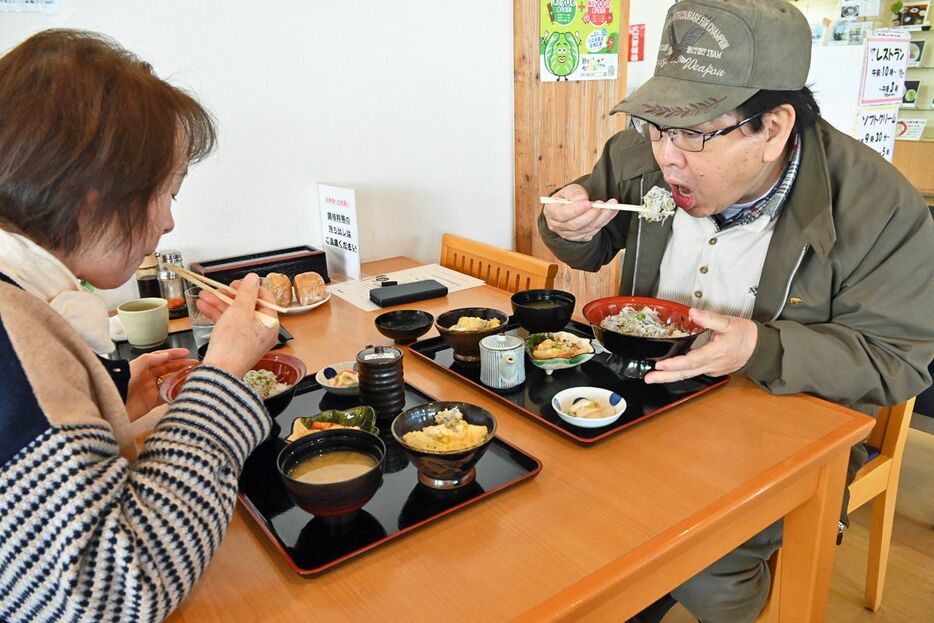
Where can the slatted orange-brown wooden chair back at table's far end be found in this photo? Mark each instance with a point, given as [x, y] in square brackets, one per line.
[500, 268]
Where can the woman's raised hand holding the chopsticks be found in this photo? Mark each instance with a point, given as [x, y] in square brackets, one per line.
[239, 339]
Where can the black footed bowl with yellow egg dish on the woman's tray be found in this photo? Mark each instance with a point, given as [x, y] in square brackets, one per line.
[443, 470]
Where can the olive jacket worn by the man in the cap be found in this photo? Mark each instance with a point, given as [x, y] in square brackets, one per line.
[845, 304]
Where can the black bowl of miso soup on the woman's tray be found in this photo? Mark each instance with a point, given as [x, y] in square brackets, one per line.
[335, 499]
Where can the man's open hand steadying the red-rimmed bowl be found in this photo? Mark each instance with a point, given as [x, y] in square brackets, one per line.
[731, 344]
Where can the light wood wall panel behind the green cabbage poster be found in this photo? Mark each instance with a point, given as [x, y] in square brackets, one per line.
[560, 129]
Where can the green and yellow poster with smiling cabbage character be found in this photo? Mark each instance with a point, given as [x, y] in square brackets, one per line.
[579, 40]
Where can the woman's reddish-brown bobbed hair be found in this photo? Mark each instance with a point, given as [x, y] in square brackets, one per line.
[88, 130]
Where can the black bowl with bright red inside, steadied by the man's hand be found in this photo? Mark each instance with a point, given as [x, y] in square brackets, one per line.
[643, 352]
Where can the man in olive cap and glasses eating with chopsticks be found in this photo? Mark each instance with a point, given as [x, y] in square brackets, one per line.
[809, 257]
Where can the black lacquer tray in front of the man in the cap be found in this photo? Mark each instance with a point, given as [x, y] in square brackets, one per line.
[533, 397]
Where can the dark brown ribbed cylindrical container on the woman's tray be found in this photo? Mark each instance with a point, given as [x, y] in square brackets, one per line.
[381, 383]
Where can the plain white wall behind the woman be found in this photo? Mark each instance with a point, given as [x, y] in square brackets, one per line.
[409, 103]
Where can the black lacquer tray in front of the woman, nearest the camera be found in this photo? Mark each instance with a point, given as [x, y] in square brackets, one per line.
[311, 545]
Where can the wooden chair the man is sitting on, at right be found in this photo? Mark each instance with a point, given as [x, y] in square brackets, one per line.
[877, 481]
